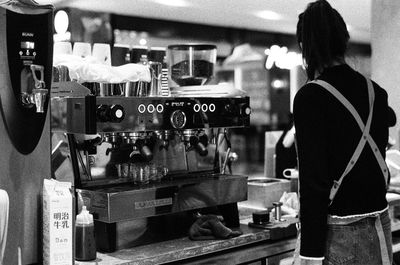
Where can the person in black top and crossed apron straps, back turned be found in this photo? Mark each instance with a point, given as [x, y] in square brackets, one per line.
[341, 122]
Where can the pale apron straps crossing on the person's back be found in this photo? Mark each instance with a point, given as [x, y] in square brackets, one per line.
[366, 137]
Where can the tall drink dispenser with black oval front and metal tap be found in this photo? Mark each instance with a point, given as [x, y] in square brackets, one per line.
[26, 46]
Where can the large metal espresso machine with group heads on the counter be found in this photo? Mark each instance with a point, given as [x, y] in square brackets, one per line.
[139, 160]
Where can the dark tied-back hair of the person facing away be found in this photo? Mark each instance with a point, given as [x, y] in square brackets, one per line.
[322, 36]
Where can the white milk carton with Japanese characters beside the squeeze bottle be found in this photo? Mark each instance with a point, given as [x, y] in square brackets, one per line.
[58, 224]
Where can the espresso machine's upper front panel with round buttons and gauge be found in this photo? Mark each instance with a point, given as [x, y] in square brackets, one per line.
[127, 114]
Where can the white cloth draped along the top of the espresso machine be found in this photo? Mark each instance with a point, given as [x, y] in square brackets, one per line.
[89, 69]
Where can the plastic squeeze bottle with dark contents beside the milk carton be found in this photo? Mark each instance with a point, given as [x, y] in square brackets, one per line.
[85, 243]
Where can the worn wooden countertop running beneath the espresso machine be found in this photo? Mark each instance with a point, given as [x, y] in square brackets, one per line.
[253, 245]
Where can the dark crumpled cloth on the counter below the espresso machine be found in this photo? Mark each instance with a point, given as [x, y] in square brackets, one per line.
[210, 227]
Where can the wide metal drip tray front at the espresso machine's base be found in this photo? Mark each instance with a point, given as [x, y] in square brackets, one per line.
[126, 202]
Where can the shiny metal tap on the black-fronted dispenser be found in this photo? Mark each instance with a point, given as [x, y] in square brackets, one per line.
[39, 93]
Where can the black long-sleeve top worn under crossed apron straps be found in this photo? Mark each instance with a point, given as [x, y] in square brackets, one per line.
[327, 135]
